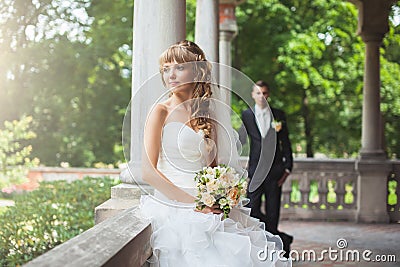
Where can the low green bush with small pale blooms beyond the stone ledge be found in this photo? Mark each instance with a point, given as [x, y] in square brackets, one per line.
[49, 216]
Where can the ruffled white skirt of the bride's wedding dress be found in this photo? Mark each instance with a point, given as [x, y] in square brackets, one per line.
[184, 237]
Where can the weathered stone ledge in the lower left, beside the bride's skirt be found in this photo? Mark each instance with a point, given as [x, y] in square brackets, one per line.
[122, 240]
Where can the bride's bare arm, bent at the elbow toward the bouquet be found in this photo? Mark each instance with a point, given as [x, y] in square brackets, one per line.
[151, 152]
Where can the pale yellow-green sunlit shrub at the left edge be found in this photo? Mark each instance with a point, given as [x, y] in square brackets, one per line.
[14, 155]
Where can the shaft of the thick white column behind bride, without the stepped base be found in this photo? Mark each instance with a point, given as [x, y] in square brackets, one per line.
[157, 25]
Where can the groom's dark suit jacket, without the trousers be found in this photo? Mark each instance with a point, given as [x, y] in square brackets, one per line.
[274, 148]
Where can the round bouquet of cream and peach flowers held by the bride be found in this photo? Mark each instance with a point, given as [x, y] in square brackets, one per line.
[220, 185]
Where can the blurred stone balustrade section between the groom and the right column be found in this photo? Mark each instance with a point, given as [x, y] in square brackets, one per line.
[321, 190]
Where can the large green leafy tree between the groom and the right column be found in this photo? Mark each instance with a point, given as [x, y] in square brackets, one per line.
[323, 62]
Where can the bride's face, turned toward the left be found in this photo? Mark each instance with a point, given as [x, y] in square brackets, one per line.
[178, 76]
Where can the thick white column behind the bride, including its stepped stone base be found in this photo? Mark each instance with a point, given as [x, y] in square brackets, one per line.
[157, 24]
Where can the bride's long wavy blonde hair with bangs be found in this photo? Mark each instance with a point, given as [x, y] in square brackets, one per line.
[189, 52]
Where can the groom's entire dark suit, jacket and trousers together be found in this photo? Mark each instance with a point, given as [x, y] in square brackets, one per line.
[268, 159]
